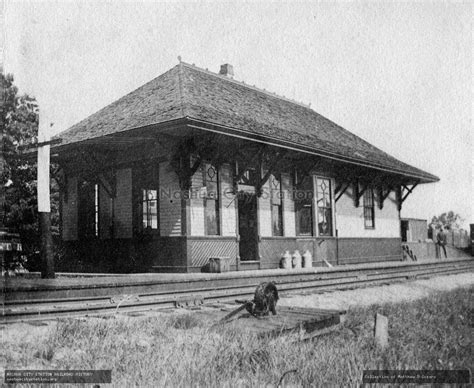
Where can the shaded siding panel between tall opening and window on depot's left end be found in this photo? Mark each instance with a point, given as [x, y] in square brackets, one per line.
[123, 204]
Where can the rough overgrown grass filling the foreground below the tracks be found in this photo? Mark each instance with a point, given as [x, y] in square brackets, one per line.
[432, 333]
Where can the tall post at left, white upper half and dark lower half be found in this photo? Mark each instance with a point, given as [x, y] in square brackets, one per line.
[44, 206]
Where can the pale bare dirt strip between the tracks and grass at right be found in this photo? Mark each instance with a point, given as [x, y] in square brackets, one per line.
[406, 291]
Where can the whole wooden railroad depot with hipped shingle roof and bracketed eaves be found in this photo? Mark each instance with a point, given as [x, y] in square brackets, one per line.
[195, 165]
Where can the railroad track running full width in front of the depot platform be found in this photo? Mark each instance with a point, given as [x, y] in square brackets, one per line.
[102, 299]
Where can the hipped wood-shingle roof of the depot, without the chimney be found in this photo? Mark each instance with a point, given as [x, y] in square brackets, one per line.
[186, 91]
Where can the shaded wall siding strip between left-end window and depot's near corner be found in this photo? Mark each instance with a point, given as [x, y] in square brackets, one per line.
[170, 201]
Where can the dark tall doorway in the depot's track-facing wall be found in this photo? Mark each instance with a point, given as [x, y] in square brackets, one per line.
[248, 232]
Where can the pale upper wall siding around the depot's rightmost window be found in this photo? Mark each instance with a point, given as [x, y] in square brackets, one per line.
[350, 219]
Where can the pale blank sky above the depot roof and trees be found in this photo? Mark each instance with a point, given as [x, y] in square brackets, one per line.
[398, 74]
